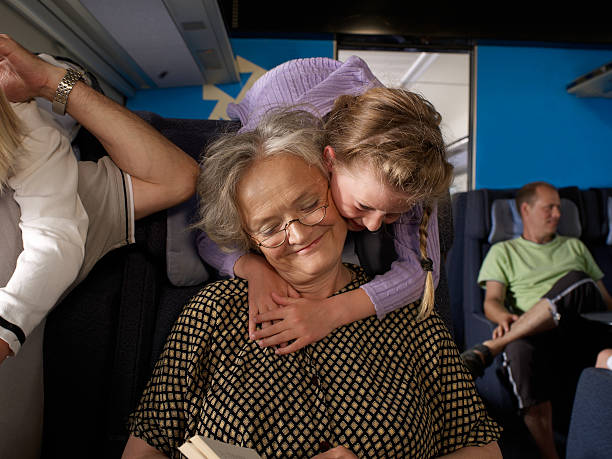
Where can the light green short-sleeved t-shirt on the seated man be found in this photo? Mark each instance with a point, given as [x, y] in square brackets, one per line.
[529, 270]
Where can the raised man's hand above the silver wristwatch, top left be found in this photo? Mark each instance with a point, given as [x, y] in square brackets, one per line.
[24, 76]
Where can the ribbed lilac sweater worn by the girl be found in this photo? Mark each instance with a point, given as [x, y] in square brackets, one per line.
[314, 84]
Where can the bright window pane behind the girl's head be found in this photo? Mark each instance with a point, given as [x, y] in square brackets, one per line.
[443, 78]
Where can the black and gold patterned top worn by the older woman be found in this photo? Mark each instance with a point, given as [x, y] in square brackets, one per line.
[382, 388]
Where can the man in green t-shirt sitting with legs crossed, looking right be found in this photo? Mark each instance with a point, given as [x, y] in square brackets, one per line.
[536, 287]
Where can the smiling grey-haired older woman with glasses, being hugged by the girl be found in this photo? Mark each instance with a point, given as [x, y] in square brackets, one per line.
[392, 388]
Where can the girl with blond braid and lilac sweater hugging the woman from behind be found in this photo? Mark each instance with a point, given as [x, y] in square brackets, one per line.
[386, 159]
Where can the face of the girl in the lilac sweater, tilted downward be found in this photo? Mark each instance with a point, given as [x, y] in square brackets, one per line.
[362, 198]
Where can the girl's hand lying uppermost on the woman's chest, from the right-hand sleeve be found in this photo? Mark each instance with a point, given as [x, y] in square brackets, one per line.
[299, 320]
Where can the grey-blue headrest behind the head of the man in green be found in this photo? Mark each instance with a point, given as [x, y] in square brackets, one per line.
[506, 220]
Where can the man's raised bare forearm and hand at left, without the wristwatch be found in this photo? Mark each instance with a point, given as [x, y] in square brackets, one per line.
[162, 174]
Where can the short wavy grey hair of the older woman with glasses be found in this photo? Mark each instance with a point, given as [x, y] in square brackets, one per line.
[283, 131]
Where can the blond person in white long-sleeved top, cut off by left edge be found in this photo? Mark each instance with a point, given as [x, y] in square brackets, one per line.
[39, 171]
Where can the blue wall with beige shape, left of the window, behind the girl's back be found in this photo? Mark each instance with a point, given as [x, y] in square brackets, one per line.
[187, 102]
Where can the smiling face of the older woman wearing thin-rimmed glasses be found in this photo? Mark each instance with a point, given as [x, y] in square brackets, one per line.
[276, 190]
